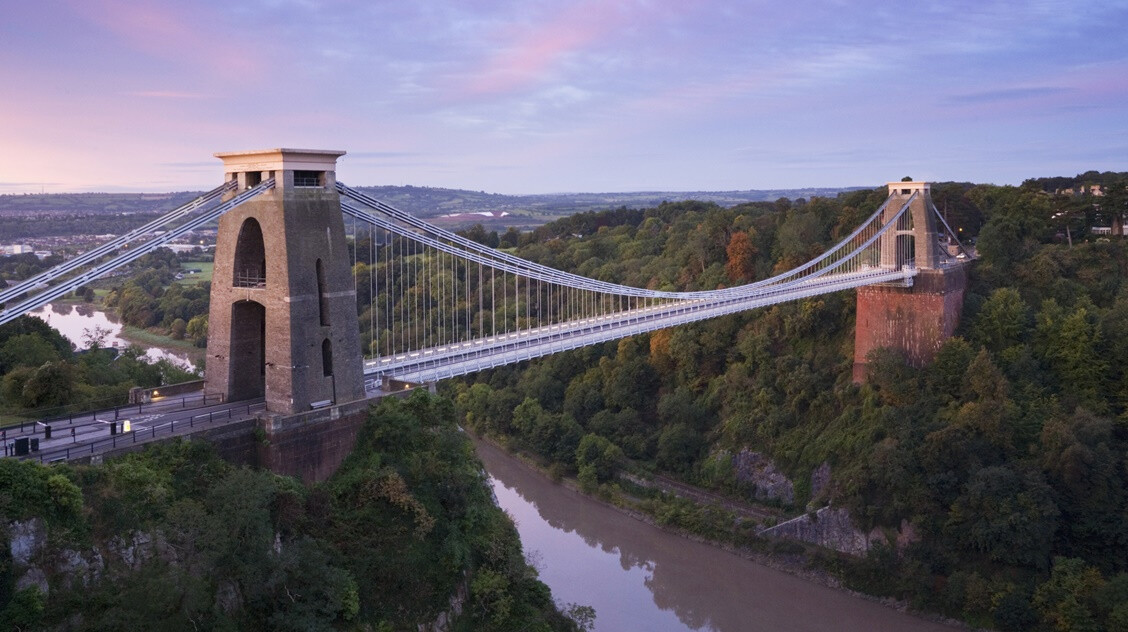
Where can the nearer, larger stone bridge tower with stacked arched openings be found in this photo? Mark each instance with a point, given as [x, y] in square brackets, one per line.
[284, 306]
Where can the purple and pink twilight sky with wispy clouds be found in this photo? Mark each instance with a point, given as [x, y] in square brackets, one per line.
[547, 96]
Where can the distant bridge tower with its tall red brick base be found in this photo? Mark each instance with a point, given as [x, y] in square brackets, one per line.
[914, 320]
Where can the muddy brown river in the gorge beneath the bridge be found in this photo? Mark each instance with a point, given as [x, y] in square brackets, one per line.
[641, 578]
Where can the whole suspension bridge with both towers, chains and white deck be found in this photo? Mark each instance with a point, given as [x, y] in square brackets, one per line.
[284, 317]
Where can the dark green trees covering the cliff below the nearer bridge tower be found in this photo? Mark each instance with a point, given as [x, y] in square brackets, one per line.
[188, 542]
